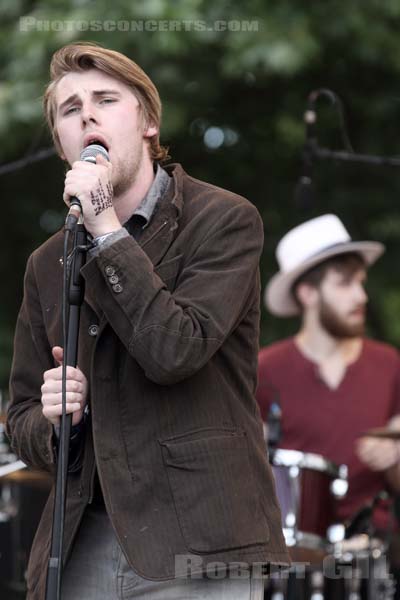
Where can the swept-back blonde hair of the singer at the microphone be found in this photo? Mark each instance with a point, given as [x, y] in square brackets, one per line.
[82, 56]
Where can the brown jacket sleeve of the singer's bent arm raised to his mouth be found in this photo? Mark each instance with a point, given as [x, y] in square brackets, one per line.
[173, 334]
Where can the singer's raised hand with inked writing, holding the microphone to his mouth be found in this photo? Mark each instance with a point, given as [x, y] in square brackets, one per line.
[88, 190]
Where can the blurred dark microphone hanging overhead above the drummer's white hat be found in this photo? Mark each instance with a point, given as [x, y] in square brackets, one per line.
[304, 194]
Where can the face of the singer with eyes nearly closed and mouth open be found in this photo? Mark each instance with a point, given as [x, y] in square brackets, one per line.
[90, 106]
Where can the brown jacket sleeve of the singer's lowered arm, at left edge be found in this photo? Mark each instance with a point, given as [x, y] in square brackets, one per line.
[30, 433]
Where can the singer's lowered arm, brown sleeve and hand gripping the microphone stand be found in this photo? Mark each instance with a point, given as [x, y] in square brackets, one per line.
[35, 388]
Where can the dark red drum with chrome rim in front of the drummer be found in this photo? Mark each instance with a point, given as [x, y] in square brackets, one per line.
[306, 486]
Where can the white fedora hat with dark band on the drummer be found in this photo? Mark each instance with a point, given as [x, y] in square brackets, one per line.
[304, 247]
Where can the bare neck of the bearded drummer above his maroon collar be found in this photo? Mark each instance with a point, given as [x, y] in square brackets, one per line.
[319, 345]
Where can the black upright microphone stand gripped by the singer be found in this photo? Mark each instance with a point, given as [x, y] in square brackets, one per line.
[73, 297]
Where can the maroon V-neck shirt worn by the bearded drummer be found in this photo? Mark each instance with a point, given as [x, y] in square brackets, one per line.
[316, 418]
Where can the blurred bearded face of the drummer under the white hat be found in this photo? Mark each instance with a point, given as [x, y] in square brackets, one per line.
[342, 303]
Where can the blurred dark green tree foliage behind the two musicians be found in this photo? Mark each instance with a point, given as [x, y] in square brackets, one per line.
[234, 96]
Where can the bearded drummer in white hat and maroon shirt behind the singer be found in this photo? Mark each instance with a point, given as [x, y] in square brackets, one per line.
[332, 383]
